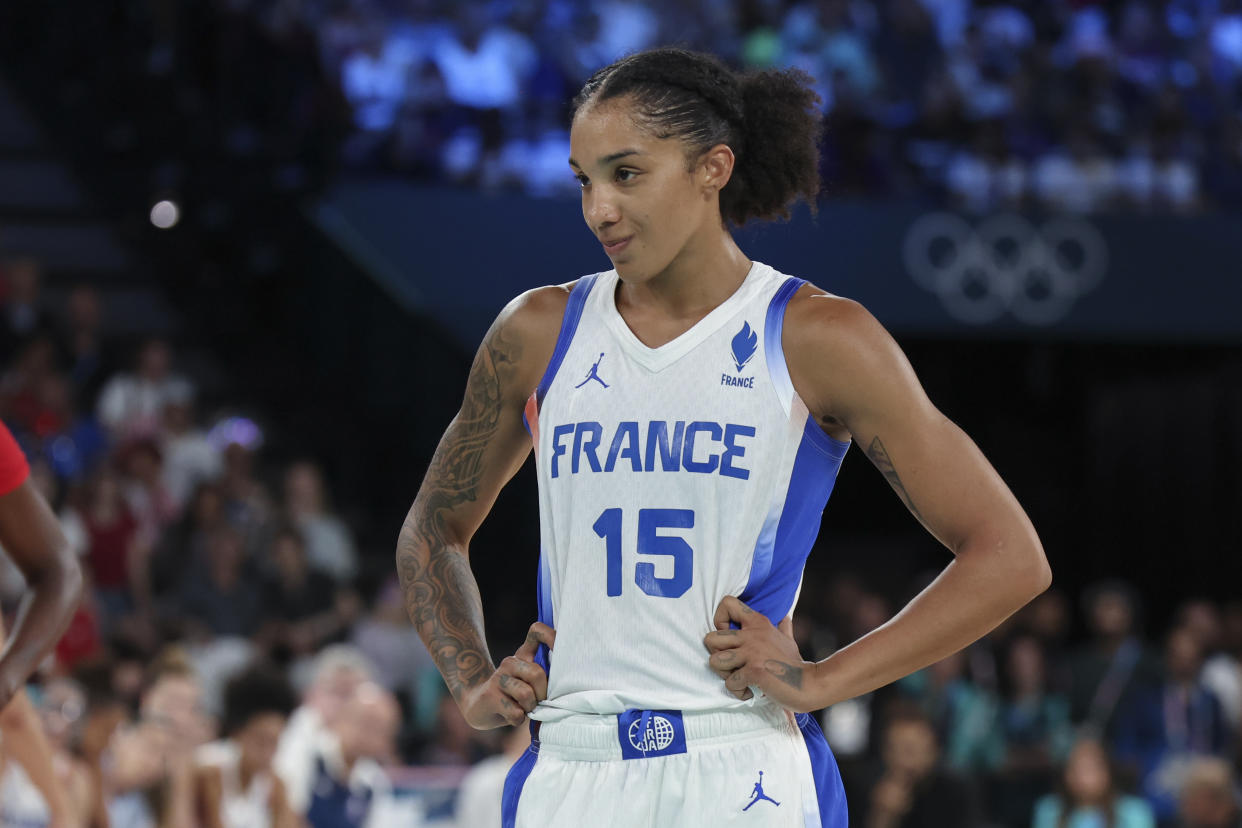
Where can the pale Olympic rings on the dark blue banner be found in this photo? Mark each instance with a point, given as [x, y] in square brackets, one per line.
[1005, 265]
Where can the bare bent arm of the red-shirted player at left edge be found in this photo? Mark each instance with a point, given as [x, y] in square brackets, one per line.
[32, 537]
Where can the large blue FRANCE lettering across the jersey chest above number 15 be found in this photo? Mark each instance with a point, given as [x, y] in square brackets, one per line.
[656, 446]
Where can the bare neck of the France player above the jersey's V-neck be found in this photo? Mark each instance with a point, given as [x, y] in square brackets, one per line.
[699, 280]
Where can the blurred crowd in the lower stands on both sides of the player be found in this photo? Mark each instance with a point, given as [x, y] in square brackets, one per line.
[237, 651]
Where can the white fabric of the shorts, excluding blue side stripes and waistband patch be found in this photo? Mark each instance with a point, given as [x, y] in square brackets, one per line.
[715, 781]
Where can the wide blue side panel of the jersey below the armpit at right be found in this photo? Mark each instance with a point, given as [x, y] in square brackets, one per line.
[777, 568]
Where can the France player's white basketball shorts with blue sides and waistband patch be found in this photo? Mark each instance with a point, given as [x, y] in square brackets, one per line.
[756, 767]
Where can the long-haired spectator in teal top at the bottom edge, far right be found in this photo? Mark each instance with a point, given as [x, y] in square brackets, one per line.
[1089, 795]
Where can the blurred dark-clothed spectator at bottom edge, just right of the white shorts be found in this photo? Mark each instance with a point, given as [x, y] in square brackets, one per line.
[910, 788]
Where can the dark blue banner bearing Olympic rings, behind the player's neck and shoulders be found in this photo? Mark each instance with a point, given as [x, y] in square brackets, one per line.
[925, 272]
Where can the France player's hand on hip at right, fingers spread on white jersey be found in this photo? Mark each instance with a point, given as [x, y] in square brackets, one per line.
[759, 656]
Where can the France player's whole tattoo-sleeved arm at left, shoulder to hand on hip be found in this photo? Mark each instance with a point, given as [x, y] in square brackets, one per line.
[480, 452]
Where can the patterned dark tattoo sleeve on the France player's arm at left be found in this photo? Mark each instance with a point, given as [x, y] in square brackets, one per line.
[440, 590]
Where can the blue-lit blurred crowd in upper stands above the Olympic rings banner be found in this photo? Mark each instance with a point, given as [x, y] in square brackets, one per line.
[1069, 105]
